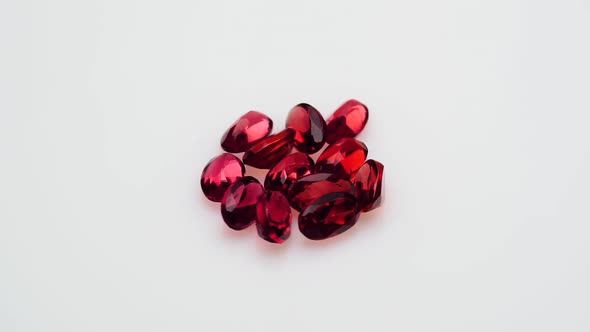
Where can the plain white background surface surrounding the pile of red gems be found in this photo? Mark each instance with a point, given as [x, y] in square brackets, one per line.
[480, 111]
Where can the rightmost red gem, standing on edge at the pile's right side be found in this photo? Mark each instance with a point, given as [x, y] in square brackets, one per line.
[367, 182]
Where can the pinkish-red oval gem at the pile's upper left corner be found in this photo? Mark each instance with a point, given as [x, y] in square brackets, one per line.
[248, 129]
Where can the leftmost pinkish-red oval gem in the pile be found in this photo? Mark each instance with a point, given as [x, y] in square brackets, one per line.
[219, 174]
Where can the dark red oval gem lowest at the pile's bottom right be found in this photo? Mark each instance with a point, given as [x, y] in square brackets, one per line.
[328, 216]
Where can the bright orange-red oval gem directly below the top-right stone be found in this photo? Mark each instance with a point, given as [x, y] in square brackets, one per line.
[342, 158]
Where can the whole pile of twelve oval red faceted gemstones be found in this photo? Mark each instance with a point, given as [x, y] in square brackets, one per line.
[329, 194]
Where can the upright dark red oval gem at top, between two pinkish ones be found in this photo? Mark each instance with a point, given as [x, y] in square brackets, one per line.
[309, 126]
